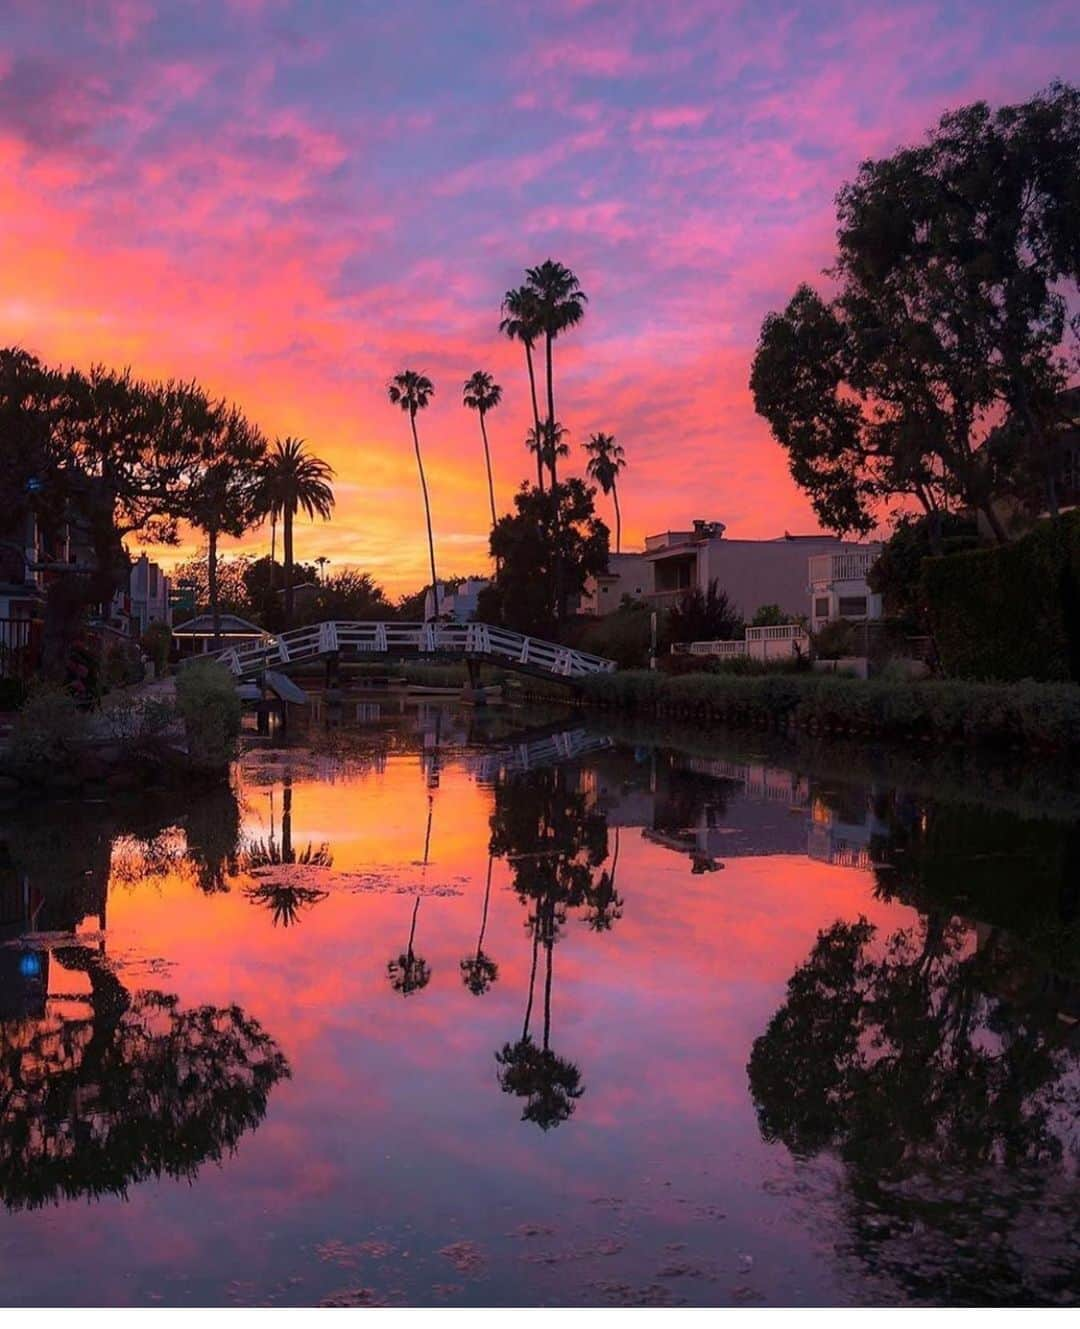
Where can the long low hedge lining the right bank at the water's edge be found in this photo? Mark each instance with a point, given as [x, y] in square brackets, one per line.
[1045, 716]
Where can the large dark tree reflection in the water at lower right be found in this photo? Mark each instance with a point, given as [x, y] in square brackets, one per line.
[950, 1104]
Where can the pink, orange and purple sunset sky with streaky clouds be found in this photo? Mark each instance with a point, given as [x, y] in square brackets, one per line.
[294, 201]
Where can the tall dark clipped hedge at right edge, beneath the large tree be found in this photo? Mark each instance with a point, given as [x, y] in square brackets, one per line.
[1012, 612]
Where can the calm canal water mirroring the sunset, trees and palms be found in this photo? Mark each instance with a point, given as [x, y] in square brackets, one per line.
[446, 1008]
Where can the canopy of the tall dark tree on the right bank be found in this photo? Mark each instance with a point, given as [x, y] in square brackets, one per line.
[954, 266]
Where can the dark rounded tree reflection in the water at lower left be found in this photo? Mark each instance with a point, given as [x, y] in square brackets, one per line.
[140, 1088]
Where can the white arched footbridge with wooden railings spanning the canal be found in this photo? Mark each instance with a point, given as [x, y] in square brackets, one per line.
[355, 641]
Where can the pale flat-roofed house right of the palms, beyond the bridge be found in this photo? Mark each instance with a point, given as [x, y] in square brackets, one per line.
[751, 572]
